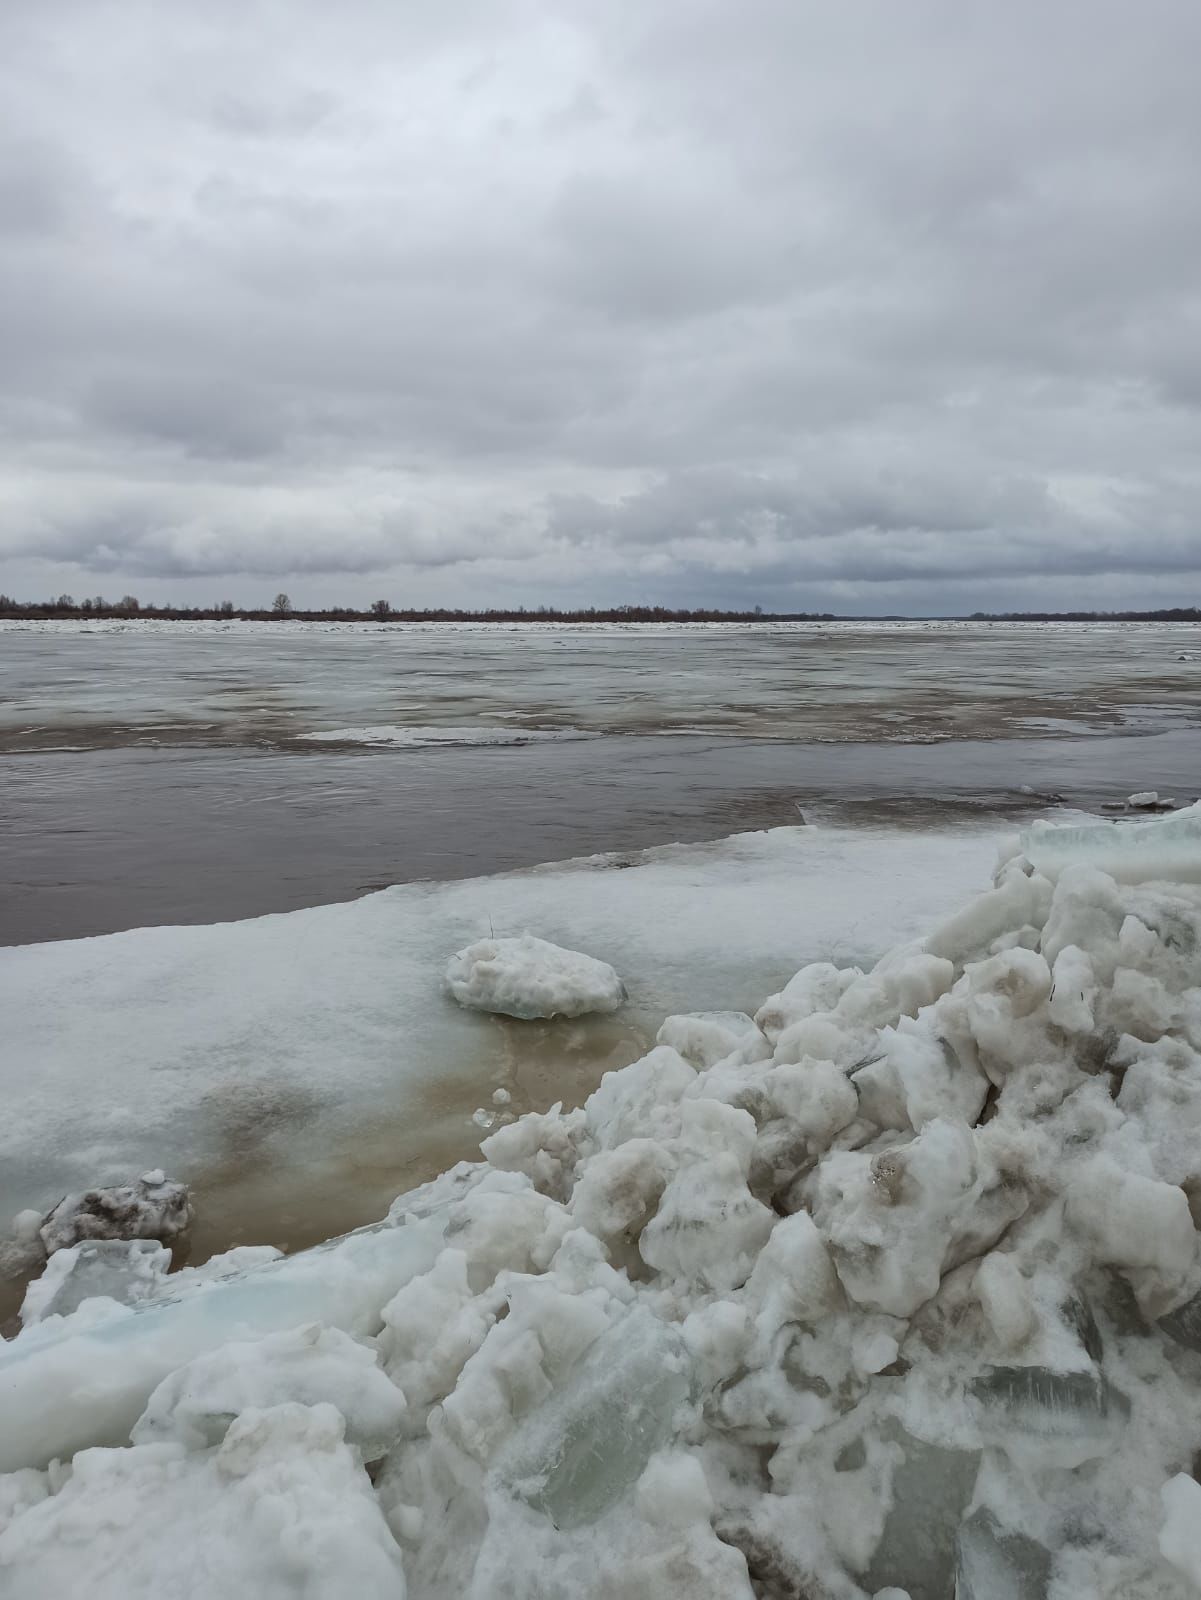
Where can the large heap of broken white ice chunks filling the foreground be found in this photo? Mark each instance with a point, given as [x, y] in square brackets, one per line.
[890, 1292]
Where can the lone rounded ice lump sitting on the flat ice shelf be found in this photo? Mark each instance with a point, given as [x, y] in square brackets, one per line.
[532, 978]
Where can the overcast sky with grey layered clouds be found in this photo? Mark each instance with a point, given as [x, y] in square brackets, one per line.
[804, 303]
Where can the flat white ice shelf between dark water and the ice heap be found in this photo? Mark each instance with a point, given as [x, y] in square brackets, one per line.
[271, 1041]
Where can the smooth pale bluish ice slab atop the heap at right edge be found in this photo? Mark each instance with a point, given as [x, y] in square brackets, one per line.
[1167, 847]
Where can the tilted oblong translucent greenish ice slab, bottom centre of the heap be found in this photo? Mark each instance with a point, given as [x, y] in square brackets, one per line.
[589, 1442]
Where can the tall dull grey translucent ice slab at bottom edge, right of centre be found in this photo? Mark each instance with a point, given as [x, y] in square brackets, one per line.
[932, 1490]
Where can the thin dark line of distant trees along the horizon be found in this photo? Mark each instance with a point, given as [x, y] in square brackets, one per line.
[282, 610]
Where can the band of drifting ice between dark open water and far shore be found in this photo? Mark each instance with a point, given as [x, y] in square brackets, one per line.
[276, 684]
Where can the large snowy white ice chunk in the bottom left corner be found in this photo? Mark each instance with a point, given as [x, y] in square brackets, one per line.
[281, 1510]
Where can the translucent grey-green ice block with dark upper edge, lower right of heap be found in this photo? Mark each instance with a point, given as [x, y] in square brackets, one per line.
[1072, 1417]
